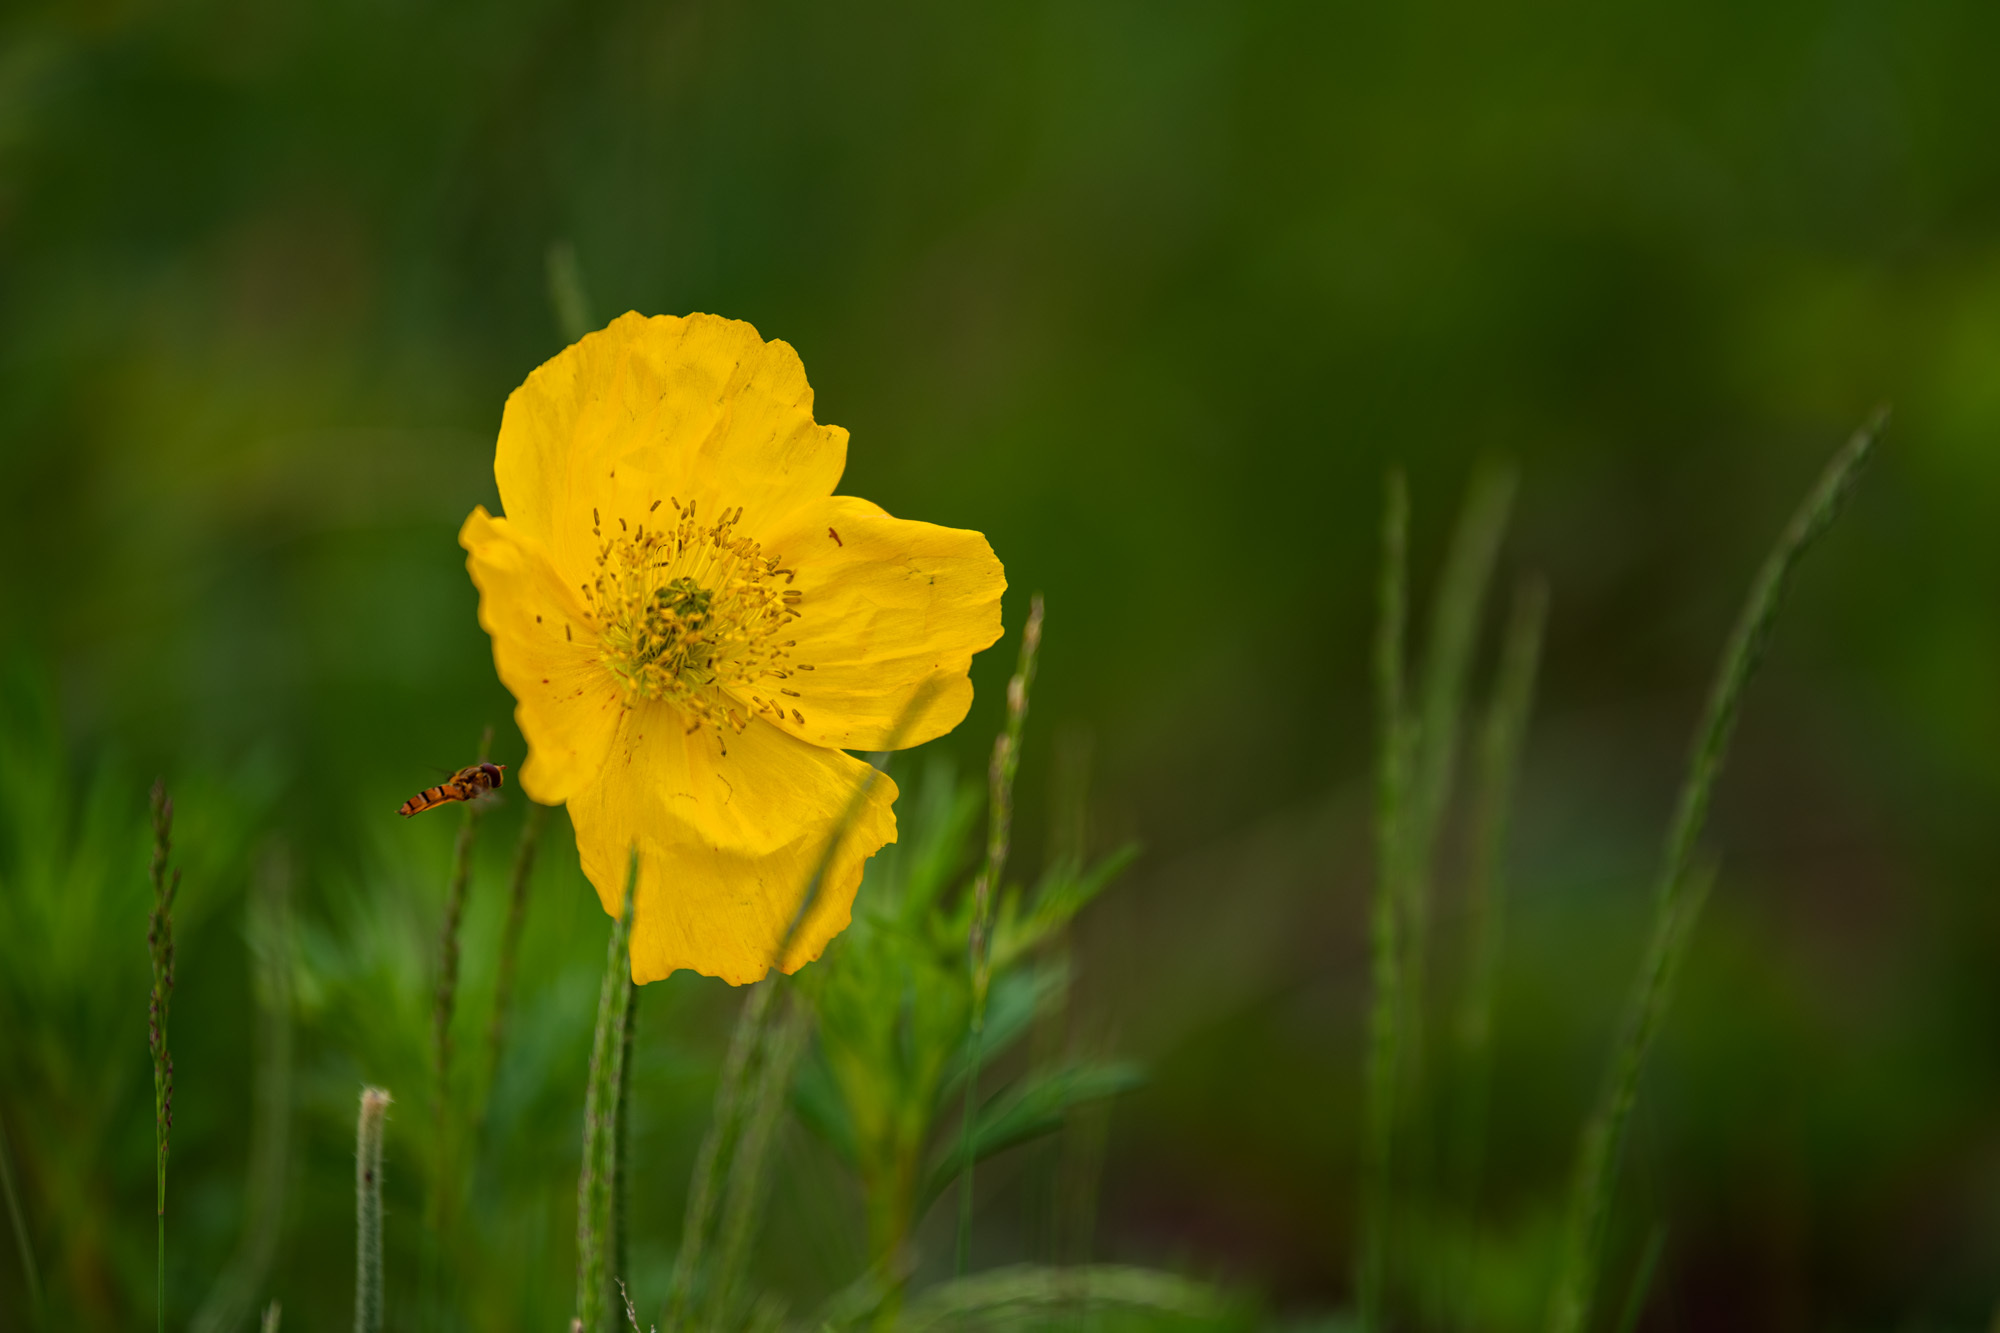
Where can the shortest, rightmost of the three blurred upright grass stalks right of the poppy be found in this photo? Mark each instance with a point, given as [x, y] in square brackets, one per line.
[1495, 776]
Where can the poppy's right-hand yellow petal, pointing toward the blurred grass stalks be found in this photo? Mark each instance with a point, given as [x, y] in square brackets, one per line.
[893, 611]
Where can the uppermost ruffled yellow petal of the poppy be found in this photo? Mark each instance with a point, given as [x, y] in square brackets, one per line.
[661, 409]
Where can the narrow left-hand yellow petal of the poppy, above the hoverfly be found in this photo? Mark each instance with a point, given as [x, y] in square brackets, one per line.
[565, 702]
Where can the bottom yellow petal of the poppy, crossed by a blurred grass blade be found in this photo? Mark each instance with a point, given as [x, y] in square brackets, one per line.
[727, 844]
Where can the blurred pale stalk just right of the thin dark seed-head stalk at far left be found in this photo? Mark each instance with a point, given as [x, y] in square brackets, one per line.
[233, 1298]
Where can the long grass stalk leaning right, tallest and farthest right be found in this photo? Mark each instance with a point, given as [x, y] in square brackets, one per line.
[1679, 892]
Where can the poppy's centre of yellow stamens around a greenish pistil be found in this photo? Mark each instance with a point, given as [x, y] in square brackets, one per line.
[693, 613]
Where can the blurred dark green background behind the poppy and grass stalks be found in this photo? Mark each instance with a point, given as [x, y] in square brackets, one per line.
[1153, 295]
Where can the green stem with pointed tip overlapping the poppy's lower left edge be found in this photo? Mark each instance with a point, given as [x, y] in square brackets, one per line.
[597, 1206]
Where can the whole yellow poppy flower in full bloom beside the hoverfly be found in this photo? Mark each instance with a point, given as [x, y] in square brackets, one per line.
[697, 629]
